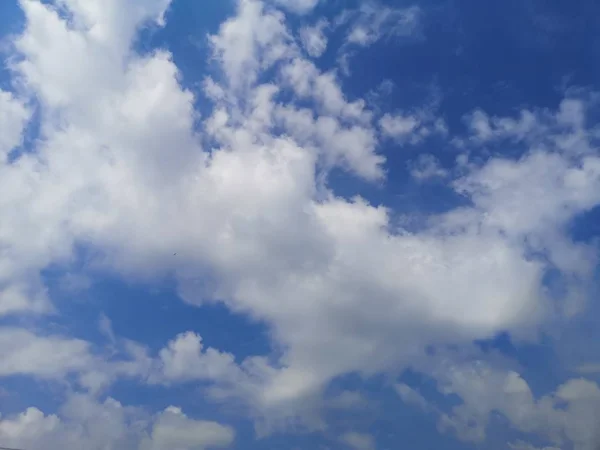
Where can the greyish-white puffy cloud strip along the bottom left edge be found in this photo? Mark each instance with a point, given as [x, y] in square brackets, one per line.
[83, 422]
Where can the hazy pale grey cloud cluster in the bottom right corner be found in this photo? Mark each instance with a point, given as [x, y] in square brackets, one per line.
[567, 416]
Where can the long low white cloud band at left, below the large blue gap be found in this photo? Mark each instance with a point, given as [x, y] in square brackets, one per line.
[54, 358]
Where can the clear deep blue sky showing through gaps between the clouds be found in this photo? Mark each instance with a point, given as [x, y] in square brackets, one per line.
[498, 56]
